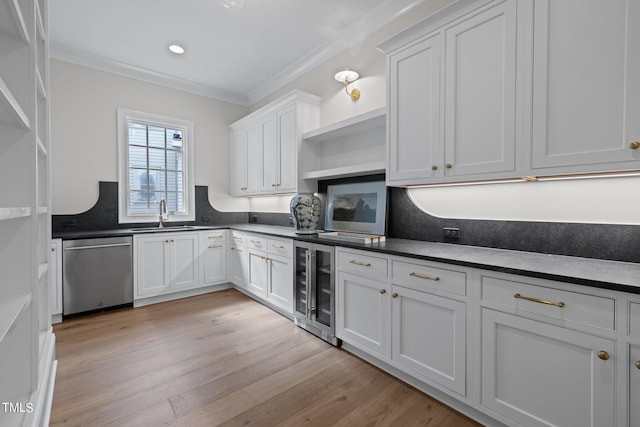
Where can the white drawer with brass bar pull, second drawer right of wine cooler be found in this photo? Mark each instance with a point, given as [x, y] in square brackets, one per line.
[420, 276]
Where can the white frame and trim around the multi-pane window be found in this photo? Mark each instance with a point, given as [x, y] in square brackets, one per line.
[124, 117]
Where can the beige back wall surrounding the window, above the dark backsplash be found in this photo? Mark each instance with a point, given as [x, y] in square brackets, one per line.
[83, 133]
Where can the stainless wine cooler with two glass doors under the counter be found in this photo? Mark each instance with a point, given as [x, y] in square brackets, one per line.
[315, 290]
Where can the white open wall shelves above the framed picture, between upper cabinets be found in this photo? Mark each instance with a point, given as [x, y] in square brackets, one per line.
[351, 147]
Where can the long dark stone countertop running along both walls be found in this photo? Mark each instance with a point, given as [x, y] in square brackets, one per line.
[622, 276]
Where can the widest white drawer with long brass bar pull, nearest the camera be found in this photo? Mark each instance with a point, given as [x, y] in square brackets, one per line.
[568, 306]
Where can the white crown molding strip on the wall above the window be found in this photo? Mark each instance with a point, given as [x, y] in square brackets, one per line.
[85, 59]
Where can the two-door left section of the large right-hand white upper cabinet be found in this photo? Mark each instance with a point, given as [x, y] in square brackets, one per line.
[452, 96]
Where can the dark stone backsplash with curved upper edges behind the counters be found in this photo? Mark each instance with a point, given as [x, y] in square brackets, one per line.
[404, 221]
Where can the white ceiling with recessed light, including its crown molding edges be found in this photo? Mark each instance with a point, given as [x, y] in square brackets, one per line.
[239, 56]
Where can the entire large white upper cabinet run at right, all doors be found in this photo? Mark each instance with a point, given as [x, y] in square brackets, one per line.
[514, 88]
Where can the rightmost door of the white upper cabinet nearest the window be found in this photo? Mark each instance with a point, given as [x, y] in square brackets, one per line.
[287, 150]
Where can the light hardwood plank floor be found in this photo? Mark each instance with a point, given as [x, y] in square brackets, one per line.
[222, 359]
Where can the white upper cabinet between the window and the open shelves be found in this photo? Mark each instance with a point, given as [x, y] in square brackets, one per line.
[266, 145]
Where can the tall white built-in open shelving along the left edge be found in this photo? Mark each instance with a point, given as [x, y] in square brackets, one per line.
[27, 365]
